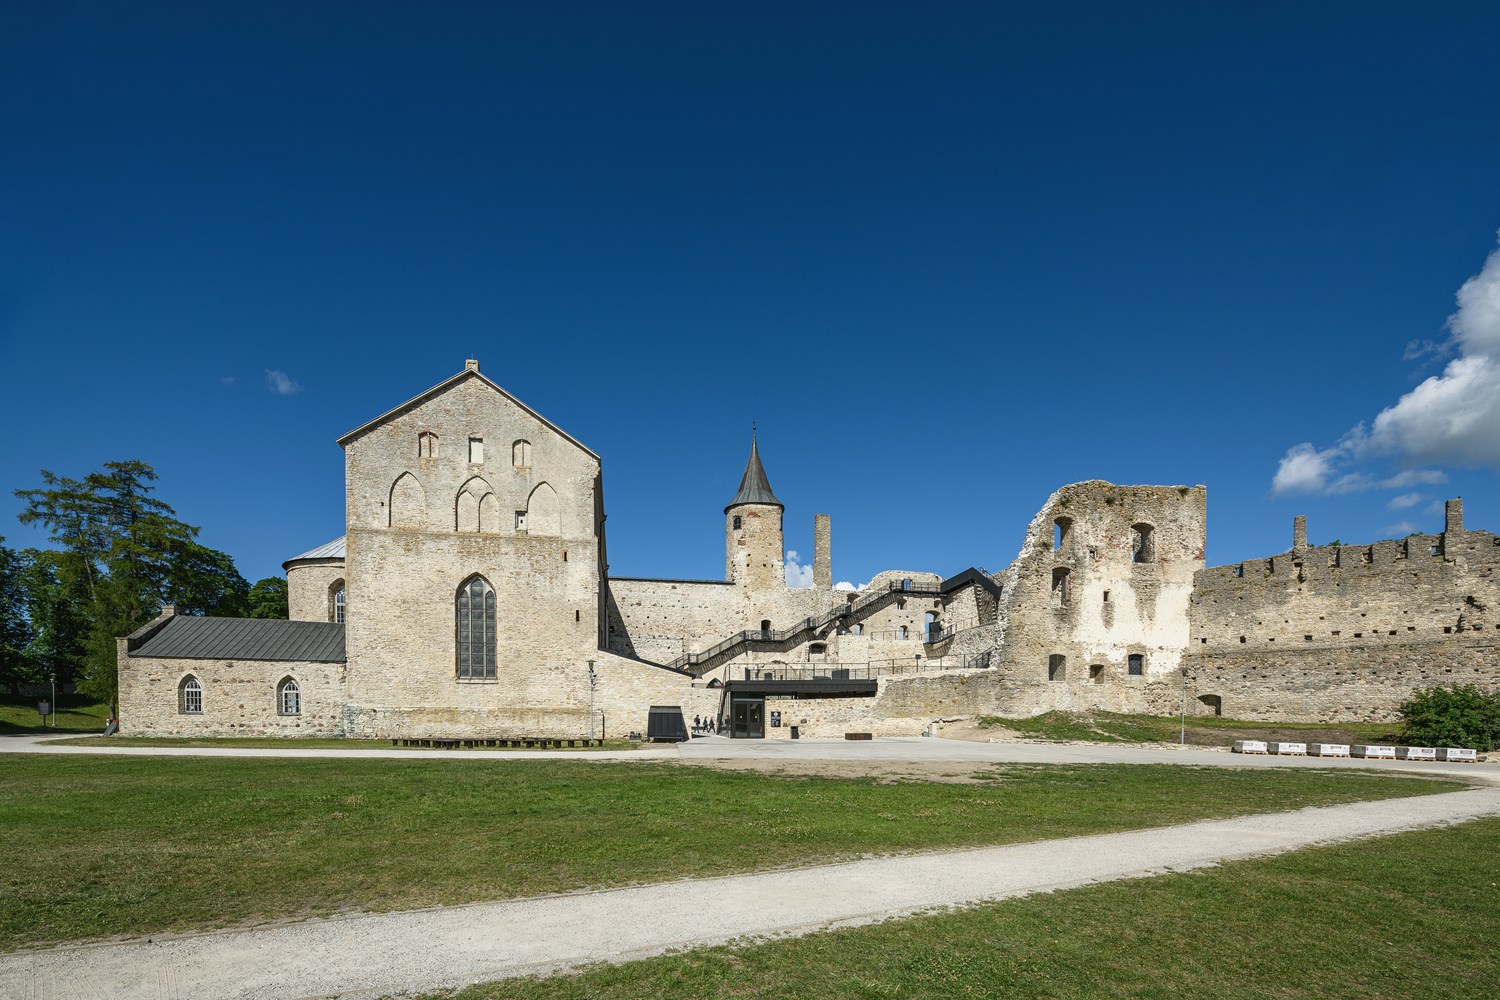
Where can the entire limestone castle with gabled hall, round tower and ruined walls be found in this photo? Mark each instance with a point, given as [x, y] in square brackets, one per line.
[472, 597]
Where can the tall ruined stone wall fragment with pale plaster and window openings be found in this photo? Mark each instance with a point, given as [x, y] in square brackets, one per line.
[1106, 591]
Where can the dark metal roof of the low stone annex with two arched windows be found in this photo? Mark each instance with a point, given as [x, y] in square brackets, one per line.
[194, 638]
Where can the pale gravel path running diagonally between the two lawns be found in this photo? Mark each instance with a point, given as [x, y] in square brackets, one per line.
[425, 950]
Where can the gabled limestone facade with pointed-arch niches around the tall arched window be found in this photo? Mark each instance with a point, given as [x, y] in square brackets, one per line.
[422, 519]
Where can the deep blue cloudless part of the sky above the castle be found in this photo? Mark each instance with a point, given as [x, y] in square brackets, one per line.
[949, 257]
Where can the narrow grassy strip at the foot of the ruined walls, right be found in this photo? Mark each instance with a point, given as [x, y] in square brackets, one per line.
[1204, 731]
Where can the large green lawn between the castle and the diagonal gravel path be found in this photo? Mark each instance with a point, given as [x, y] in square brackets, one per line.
[103, 846]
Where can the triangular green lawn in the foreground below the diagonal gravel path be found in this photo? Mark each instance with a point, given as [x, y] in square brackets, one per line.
[1414, 917]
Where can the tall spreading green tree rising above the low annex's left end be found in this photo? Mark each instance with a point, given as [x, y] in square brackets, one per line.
[133, 554]
